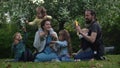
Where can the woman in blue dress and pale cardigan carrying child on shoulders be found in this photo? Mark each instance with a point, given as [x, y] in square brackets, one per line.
[42, 43]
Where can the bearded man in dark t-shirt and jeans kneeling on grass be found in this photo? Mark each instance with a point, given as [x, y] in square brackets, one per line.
[93, 39]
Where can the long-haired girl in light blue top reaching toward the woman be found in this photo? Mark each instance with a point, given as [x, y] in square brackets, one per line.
[63, 45]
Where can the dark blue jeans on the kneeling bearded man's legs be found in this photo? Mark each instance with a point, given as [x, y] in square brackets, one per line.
[85, 55]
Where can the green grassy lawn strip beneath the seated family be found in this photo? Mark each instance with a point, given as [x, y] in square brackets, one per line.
[113, 61]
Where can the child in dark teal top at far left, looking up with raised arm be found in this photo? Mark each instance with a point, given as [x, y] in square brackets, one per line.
[21, 53]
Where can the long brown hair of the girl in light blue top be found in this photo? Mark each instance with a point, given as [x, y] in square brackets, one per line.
[66, 36]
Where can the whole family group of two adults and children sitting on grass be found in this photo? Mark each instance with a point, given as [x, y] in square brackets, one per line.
[49, 47]
